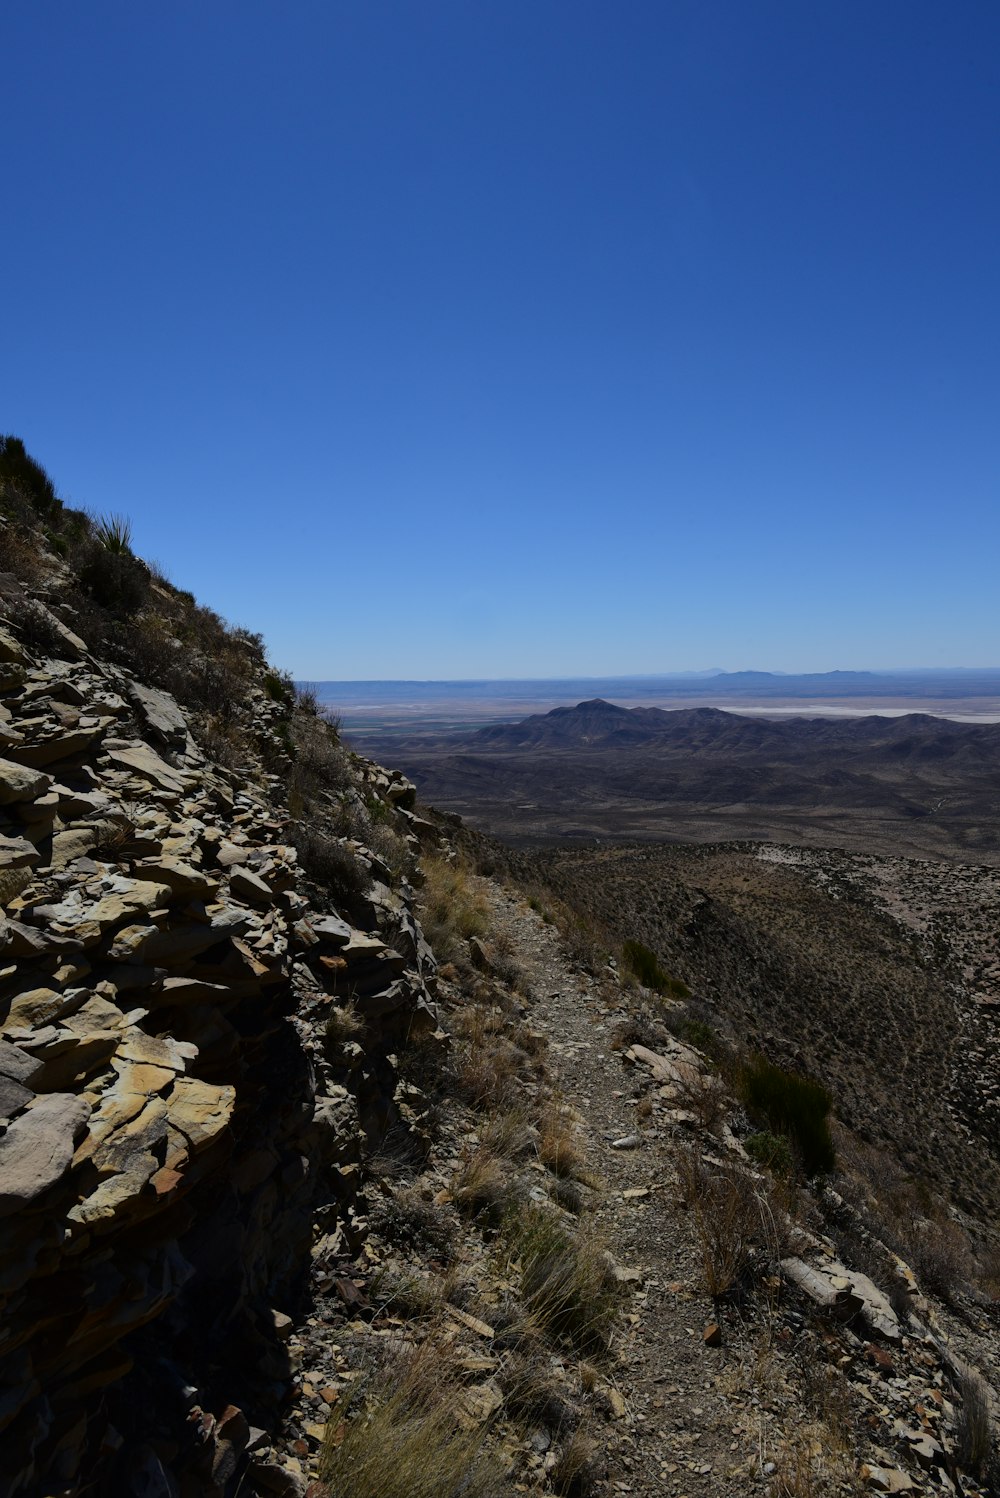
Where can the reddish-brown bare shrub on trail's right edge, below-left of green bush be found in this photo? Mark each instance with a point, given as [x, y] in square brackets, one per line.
[734, 1220]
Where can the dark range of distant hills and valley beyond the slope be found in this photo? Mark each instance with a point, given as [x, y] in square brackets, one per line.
[912, 784]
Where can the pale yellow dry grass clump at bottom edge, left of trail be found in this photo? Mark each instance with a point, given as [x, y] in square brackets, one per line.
[400, 1437]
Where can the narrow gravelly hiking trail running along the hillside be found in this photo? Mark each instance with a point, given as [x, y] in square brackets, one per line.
[692, 1418]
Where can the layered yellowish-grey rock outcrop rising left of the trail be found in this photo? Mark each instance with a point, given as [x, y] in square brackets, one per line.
[173, 1135]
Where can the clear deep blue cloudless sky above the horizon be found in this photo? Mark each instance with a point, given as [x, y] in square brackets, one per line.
[522, 338]
